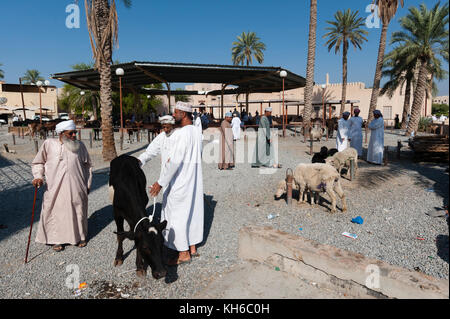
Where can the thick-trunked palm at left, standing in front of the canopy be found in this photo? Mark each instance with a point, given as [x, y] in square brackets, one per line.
[102, 23]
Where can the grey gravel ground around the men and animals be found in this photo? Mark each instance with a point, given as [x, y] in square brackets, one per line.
[391, 199]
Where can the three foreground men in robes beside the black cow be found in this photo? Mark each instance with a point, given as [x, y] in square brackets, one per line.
[65, 165]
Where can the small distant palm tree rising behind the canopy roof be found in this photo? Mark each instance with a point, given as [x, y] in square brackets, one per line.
[246, 47]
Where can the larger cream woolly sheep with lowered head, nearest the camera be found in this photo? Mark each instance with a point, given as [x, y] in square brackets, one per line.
[316, 177]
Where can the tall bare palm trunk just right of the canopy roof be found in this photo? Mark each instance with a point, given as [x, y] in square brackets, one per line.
[309, 87]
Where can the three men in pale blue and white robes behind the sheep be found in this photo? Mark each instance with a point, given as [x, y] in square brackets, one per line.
[349, 133]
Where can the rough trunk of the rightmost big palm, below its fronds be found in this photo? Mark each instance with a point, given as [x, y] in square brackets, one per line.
[419, 94]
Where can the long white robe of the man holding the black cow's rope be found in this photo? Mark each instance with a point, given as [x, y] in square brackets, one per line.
[182, 204]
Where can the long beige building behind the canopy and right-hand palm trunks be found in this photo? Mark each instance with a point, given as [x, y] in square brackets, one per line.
[357, 95]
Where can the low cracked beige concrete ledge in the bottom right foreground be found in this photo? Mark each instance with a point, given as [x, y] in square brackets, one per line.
[335, 268]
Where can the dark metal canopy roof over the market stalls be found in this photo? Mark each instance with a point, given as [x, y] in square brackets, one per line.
[246, 78]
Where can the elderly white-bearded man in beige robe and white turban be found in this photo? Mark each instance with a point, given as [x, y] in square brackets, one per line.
[67, 168]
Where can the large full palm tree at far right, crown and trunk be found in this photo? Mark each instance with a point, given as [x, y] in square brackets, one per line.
[425, 37]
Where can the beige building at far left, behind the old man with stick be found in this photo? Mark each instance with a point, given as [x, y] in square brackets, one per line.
[13, 100]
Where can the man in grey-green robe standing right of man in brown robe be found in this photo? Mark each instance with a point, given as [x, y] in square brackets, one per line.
[264, 149]
